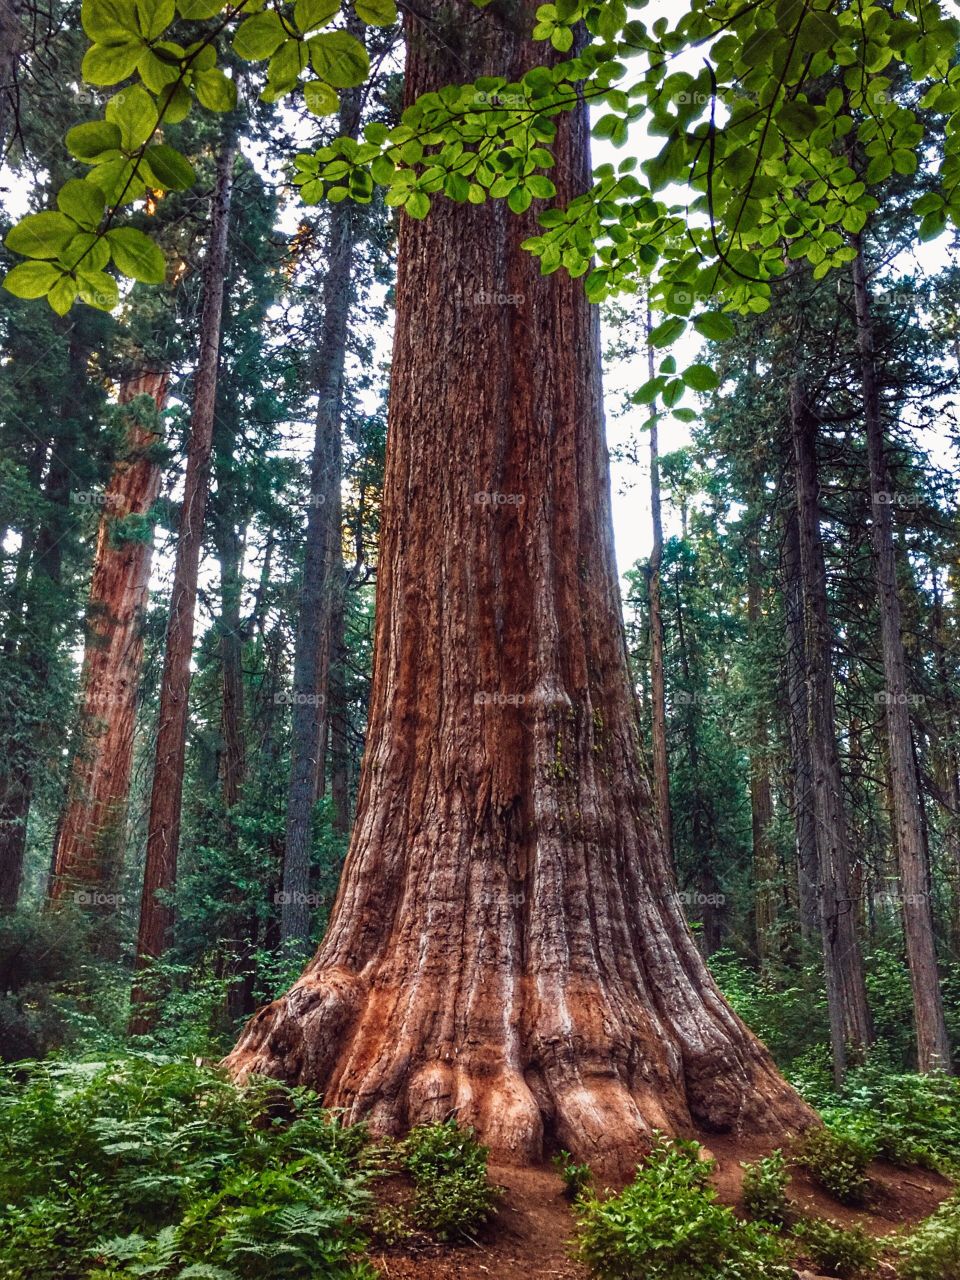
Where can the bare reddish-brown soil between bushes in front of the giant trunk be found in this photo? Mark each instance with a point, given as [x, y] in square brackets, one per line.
[531, 1236]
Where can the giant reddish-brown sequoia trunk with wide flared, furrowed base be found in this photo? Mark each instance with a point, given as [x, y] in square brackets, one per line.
[508, 941]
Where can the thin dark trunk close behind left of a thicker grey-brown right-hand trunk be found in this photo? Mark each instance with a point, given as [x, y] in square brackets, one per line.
[797, 689]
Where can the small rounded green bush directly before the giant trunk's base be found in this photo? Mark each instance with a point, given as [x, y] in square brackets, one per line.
[452, 1194]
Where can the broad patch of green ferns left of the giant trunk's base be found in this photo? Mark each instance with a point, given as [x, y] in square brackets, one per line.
[141, 1167]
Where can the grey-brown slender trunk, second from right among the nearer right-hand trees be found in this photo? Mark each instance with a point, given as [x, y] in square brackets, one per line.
[847, 990]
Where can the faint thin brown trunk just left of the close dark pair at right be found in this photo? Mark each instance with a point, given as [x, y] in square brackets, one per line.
[761, 792]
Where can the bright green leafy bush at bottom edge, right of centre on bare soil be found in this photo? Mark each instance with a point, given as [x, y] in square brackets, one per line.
[668, 1226]
